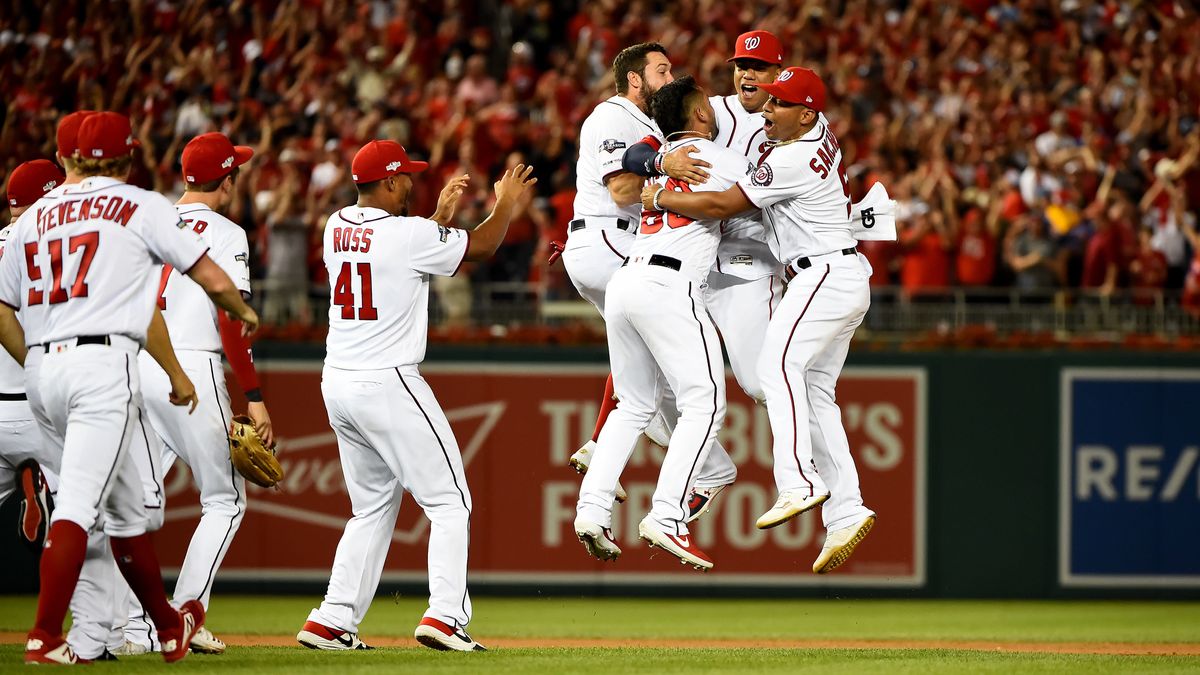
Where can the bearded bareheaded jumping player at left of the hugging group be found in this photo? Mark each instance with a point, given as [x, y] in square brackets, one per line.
[607, 211]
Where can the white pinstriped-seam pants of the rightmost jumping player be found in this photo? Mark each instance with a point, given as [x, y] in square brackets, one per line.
[802, 359]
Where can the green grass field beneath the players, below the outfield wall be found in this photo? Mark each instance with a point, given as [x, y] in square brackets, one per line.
[677, 624]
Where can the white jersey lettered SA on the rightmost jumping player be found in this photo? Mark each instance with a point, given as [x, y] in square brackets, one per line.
[802, 189]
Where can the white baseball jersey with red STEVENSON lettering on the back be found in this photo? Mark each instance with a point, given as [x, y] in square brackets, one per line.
[89, 259]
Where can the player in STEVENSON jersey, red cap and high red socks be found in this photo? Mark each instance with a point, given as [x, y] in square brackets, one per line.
[74, 285]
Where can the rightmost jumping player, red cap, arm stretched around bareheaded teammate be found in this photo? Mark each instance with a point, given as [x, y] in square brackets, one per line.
[801, 187]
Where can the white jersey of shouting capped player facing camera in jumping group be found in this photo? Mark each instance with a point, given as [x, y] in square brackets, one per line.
[743, 252]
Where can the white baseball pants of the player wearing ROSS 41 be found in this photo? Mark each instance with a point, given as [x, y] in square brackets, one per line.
[393, 438]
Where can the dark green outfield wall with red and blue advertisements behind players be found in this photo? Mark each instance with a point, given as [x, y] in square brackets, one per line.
[994, 475]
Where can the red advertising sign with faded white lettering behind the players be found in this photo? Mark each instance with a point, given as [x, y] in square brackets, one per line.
[517, 426]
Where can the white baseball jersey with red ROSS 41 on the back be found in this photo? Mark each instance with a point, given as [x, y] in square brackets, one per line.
[380, 270]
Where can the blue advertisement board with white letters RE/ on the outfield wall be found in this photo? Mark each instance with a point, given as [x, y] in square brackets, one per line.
[1130, 479]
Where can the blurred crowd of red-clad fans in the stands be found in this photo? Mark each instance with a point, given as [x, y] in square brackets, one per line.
[1031, 145]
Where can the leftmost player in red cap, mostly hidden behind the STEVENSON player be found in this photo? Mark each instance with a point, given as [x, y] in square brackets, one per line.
[22, 453]
